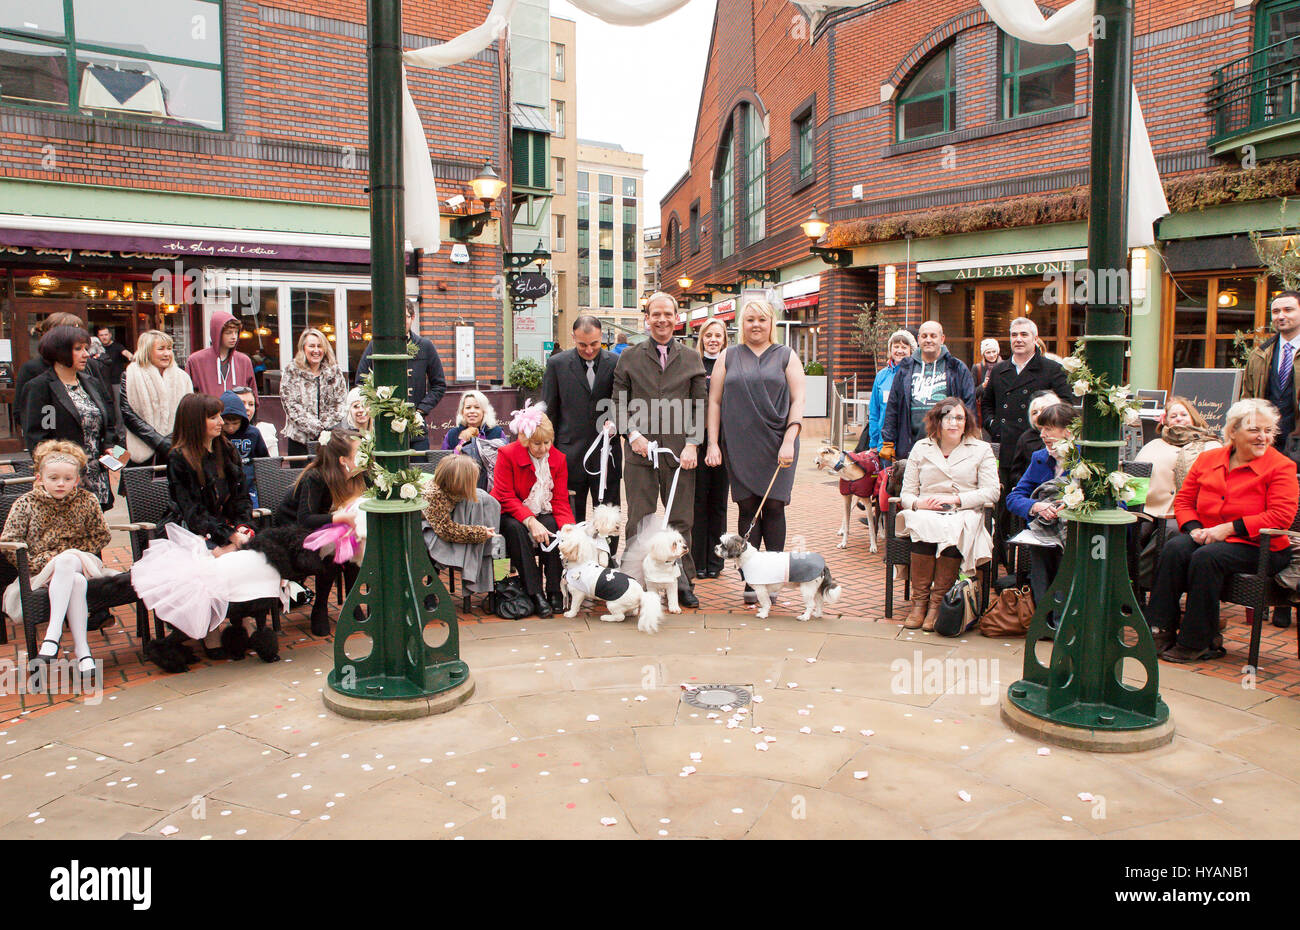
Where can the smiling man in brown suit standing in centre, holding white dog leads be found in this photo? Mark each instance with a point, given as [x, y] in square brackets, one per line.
[660, 397]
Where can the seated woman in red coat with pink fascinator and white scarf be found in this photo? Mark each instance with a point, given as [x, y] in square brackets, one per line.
[531, 481]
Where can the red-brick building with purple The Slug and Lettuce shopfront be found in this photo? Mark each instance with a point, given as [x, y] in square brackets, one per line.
[220, 149]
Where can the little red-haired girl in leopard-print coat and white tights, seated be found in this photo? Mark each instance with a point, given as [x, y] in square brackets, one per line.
[64, 530]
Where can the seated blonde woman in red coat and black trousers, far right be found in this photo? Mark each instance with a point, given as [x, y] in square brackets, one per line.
[1229, 496]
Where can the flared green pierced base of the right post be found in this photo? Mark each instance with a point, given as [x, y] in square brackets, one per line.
[1095, 624]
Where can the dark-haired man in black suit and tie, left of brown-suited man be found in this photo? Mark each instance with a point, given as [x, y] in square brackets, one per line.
[577, 388]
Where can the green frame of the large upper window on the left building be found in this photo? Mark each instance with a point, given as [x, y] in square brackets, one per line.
[71, 47]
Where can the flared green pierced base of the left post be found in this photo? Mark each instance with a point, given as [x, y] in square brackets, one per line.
[396, 605]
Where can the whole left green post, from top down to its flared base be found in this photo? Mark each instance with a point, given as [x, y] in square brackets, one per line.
[397, 621]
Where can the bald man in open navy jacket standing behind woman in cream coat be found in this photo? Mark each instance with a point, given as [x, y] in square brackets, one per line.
[924, 379]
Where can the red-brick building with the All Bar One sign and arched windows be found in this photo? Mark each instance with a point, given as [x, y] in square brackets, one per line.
[952, 161]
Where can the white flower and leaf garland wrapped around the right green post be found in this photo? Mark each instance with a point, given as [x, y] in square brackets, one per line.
[1090, 485]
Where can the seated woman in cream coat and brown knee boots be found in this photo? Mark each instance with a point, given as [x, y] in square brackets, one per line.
[951, 477]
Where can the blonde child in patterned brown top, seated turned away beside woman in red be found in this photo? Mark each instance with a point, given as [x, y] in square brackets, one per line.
[462, 522]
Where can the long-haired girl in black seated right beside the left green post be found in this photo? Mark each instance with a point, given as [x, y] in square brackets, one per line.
[326, 494]
